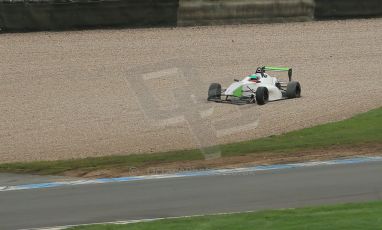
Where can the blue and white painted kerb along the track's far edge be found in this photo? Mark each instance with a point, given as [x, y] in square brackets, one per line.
[192, 173]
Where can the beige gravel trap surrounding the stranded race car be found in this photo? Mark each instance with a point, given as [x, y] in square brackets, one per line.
[69, 94]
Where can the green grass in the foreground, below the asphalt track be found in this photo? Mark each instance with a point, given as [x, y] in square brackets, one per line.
[345, 216]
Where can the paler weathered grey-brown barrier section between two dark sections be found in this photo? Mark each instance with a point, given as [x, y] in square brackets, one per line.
[207, 12]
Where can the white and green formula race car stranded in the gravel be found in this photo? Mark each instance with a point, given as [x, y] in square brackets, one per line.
[258, 88]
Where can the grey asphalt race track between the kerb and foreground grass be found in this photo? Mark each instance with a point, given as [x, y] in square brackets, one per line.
[285, 188]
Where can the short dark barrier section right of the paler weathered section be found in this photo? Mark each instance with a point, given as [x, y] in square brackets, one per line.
[326, 9]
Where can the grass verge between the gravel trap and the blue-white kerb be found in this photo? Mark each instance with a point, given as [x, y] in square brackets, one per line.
[362, 129]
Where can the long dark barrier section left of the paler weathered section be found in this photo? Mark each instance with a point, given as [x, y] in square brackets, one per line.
[19, 15]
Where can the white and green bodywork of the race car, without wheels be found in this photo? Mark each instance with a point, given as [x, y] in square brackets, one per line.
[248, 87]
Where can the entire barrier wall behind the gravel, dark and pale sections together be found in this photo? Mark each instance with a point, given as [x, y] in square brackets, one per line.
[29, 15]
